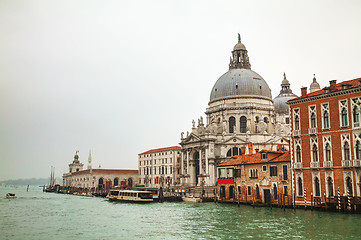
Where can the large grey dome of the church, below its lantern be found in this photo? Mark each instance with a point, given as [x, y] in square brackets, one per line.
[240, 82]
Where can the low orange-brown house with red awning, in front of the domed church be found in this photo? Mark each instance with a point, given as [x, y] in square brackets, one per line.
[263, 177]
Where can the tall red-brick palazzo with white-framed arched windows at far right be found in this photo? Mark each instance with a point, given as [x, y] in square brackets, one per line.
[326, 143]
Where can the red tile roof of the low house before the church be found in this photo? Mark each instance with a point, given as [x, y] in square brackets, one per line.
[272, 156]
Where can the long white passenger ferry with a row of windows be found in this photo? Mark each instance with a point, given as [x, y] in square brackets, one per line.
[130, 196]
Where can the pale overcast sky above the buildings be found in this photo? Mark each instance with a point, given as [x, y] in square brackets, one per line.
[123, 77]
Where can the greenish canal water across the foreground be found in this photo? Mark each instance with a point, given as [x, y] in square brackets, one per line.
[39, 215]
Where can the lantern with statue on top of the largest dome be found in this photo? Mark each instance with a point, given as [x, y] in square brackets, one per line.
[239, 58]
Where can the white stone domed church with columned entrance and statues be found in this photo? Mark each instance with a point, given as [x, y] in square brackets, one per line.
[241, 118]
